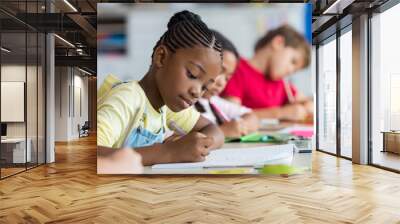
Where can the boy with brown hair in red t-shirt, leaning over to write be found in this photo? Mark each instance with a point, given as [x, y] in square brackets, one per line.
[258, 83]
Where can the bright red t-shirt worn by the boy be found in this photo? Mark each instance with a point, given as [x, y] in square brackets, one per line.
[254, 89]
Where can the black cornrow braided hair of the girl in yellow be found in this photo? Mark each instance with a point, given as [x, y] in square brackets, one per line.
[186, 30]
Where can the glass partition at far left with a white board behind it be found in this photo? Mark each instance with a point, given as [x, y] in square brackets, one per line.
[22, 75]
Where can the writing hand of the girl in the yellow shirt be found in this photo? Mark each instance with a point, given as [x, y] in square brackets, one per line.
[193, 147]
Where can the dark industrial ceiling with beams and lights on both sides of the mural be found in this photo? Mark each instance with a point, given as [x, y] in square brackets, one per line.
[76, 22]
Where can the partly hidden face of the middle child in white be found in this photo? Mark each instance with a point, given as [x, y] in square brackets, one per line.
[228, 67]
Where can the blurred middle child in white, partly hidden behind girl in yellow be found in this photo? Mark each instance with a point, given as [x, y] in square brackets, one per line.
[234, 120]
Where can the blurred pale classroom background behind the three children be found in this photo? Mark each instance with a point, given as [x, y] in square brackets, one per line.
[127, 33]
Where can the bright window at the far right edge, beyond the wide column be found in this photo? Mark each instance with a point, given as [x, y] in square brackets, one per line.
[385, 85]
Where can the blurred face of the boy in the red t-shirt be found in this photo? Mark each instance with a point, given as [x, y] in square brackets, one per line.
[284, 61]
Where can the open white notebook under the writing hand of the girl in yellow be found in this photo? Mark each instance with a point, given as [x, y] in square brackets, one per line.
[237, 157]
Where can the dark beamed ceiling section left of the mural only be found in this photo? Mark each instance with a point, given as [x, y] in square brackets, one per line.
[77, 25]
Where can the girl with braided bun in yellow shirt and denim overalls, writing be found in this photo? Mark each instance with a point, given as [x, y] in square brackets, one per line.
[185, 62]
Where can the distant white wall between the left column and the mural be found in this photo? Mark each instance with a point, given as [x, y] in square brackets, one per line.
[70, 83]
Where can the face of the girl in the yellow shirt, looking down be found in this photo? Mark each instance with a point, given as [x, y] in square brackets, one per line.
[186, 74]
